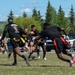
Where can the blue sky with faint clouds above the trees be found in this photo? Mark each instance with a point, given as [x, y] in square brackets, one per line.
[20, 6]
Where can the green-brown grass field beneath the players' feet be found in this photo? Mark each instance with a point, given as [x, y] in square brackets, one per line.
[52, 66]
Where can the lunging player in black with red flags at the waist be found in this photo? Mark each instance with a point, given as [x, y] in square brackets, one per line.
[59, 42]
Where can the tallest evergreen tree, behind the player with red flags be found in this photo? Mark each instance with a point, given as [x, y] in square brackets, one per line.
[50, 14]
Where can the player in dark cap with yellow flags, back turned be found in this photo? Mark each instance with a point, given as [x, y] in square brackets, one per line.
[15, 34]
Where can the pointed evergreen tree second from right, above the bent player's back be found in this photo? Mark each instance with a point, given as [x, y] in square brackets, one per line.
[62, 21]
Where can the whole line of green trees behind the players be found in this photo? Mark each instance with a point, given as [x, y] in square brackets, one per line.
[51, 16]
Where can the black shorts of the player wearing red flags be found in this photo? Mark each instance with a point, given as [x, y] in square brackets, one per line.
[60, 46]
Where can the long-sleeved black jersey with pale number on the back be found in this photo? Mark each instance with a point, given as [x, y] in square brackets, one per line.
[13, 30]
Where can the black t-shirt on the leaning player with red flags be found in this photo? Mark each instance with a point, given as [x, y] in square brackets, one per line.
[51, 32]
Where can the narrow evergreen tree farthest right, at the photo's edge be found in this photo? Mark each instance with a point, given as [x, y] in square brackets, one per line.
[71, 19]
